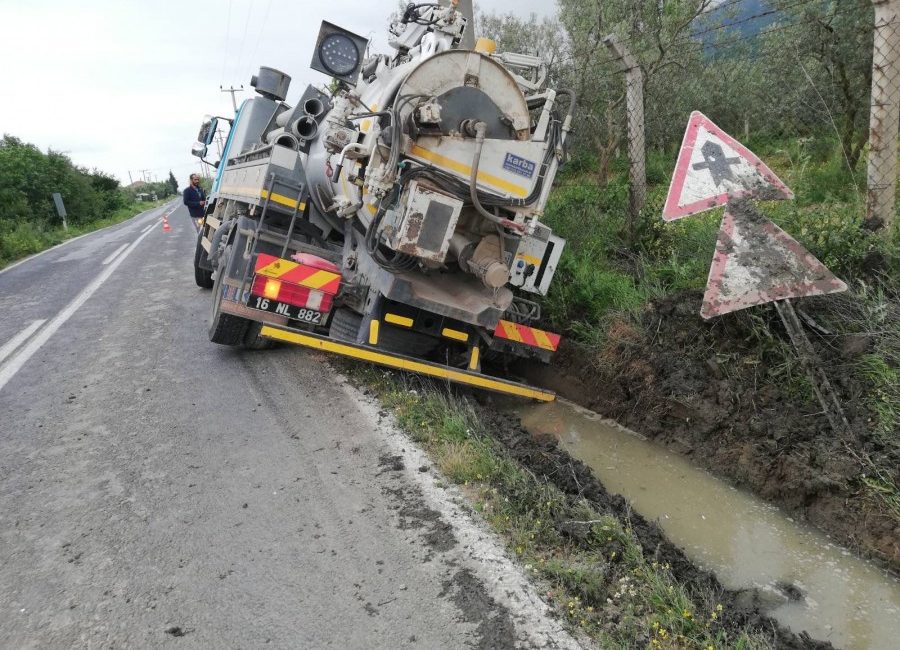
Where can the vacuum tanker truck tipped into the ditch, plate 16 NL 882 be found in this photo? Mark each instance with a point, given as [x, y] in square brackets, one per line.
[395, 217]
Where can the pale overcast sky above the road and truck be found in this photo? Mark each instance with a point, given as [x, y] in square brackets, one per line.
[123, 85]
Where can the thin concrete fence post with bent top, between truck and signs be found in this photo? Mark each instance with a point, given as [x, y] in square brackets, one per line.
[634, 108]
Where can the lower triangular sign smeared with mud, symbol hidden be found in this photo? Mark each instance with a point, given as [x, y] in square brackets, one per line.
[757, 262]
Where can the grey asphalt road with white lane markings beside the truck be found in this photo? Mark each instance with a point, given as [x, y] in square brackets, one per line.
[157, 490]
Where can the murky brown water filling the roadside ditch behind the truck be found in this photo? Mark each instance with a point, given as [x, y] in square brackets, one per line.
[746, 543]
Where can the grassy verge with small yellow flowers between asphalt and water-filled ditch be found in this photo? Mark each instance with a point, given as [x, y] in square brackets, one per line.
[600, 582]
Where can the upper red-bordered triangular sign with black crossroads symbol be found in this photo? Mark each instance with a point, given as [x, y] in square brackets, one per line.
[712, 168]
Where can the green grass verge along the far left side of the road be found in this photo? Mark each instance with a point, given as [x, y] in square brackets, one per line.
[19, 239]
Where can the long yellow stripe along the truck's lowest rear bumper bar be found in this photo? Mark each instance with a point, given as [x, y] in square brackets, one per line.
[402, 363]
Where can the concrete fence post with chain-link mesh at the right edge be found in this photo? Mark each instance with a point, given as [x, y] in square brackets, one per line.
[885, 115]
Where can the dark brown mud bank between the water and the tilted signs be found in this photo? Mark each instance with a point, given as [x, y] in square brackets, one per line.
[698, 388]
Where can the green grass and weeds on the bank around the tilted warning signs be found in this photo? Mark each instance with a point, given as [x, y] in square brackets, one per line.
[605, 278]
